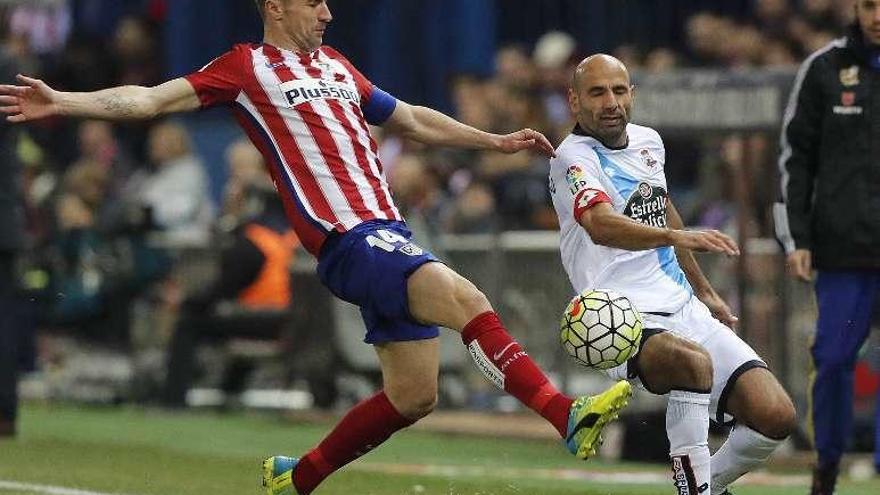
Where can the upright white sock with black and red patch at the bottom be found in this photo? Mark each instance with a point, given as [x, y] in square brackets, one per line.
[687, 426]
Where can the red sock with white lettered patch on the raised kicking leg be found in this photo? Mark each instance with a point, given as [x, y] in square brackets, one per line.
[506, 364]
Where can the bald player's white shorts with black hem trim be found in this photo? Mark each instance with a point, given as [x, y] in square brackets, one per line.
[731, 356]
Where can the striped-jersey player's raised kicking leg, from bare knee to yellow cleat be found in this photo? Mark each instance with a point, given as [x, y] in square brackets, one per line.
[438, 295]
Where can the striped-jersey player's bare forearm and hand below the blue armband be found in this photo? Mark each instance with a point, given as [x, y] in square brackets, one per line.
[432, 127]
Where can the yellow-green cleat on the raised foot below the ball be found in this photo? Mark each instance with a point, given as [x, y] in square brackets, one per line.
[588, 415]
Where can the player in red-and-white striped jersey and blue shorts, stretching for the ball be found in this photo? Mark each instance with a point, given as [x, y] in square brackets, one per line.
[306, 108]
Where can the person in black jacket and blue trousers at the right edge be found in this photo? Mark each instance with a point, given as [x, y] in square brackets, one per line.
[830, 219]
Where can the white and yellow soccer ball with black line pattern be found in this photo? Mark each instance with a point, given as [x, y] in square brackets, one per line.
[600, 329]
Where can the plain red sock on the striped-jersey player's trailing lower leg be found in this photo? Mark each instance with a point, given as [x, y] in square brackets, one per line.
[363, 428]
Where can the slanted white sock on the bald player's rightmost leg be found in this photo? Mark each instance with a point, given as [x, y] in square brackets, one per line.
[744, 450]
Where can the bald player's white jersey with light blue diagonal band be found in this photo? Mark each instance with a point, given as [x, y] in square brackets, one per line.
[632, 180]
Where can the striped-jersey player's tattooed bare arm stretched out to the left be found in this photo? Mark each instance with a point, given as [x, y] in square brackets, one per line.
[34, 100]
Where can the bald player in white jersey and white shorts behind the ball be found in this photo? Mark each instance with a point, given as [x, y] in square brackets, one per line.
[620, 231]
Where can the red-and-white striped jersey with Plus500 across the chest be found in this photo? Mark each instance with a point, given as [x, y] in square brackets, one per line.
[305, 113]
